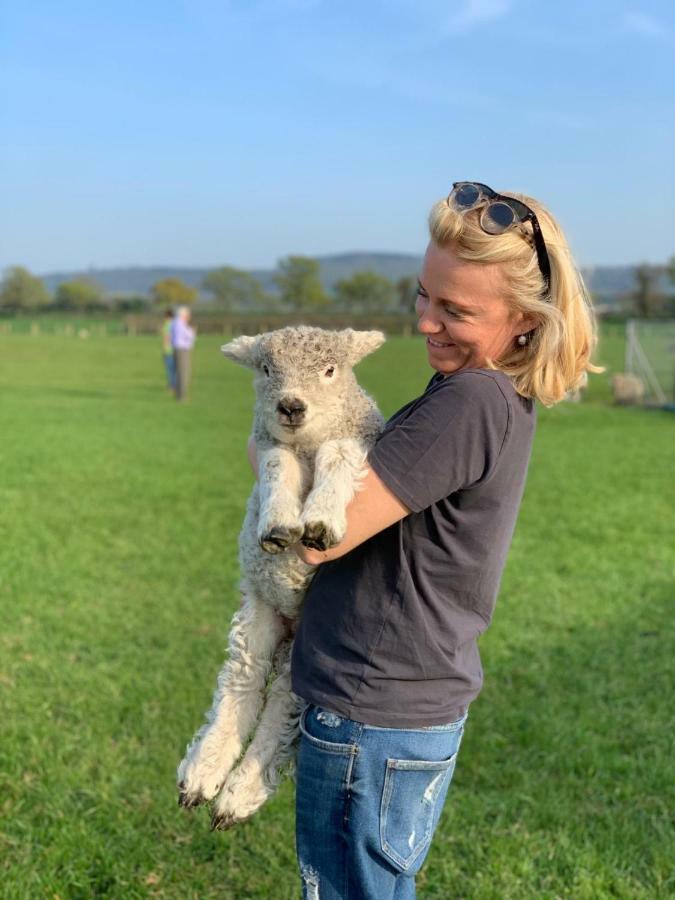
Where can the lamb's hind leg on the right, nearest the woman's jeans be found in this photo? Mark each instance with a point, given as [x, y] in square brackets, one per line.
[257, 776]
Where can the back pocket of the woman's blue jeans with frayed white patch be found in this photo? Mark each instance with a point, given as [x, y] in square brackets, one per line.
[412, 799]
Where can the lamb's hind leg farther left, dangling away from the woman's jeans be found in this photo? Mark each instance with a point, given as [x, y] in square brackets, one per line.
[254, 637]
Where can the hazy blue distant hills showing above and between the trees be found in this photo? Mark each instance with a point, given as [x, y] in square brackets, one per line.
[604, 281]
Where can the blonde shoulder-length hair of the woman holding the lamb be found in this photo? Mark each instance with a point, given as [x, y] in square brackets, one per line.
[557, 356]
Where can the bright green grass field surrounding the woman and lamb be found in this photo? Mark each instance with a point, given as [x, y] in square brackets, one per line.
[119, 512]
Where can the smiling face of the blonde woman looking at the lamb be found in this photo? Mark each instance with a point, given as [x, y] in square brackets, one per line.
[462, 312]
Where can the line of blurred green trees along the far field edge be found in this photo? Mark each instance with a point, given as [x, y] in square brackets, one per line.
[299, 289]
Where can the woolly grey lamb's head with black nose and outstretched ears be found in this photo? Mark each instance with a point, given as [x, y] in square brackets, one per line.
[304, 378]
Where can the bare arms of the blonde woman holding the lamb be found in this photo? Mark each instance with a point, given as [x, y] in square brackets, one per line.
[372, 509]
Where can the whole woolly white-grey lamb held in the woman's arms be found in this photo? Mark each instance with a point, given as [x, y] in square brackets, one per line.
[313, 426]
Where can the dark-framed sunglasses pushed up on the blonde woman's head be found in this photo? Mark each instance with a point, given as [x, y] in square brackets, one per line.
[499, 214]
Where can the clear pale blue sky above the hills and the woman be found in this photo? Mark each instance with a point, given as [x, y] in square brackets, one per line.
[205, 133]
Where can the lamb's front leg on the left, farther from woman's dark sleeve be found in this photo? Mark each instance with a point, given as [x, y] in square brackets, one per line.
[281, 482]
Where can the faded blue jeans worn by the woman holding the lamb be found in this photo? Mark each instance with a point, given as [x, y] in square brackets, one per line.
[367, 802]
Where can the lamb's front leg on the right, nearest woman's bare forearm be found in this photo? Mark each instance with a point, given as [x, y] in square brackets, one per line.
[338, 470]
